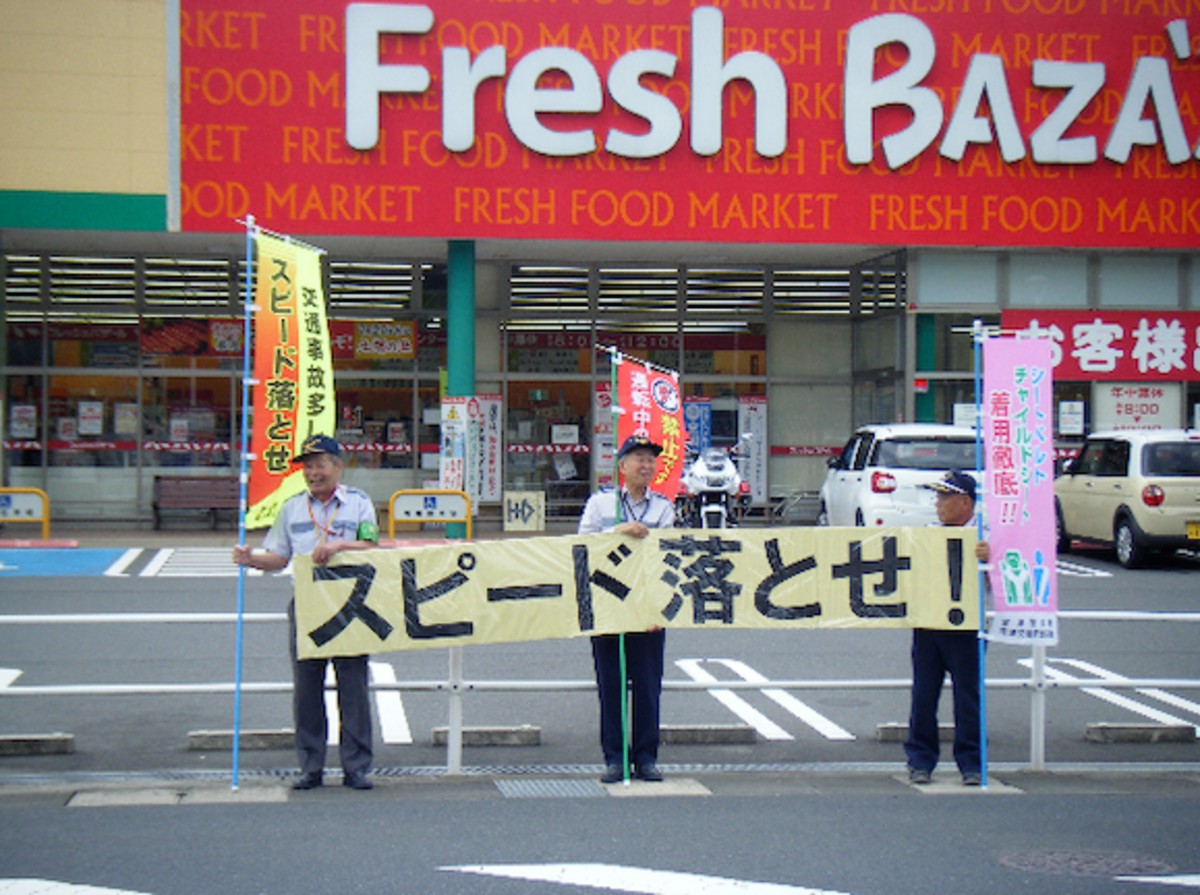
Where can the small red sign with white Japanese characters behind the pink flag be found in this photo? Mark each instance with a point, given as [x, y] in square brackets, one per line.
[1127, 346]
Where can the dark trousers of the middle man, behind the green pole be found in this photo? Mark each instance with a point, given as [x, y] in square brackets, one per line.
[644, 670]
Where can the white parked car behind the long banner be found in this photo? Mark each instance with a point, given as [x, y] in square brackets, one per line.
[878, 478]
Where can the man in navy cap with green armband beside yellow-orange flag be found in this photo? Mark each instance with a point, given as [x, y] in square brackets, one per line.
[323, 521]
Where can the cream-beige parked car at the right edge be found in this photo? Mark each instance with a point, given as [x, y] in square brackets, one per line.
[1136, 490]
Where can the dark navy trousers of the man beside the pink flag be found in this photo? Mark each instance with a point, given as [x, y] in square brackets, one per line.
[934, 656]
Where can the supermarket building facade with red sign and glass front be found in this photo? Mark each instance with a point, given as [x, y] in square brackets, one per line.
[802, 209]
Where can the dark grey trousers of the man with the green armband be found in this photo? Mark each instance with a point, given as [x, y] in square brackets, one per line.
[309, 710]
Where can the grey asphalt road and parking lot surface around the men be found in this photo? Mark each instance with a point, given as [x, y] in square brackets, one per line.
[812, 812]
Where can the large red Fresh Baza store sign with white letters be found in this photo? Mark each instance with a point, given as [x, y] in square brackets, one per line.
[956, 124]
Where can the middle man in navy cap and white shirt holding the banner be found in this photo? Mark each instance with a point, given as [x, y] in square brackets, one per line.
[641, 510]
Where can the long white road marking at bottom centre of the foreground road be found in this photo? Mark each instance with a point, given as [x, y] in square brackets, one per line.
[615, 878]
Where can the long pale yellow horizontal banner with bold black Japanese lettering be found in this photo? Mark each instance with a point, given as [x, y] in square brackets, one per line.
[460, 593]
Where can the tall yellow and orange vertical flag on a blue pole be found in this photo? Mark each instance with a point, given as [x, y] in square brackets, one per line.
[293, 398]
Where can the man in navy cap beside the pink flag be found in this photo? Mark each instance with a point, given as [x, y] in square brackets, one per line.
[935, 653]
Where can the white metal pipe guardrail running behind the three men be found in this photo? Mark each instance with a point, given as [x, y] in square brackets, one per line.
[1040, 683]
